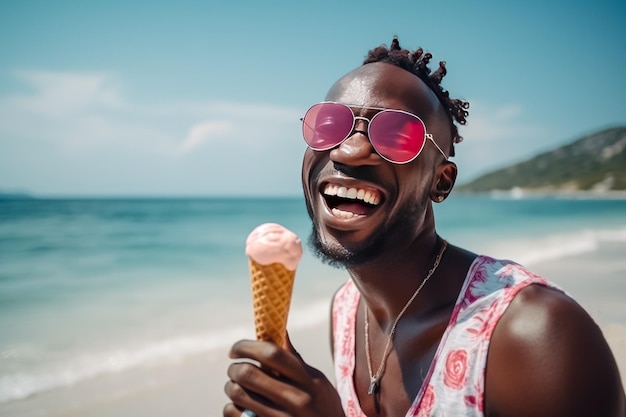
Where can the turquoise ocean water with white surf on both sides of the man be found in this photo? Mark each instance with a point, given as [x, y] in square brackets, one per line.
[96, 286]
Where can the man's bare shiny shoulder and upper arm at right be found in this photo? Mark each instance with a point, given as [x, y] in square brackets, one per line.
[547, 357]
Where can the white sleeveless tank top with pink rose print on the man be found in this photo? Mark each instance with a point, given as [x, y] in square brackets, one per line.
[454, 385]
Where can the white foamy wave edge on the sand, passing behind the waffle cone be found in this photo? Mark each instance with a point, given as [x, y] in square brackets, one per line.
[21, 385]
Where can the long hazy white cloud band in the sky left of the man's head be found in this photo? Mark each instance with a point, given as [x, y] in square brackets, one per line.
[82, 111]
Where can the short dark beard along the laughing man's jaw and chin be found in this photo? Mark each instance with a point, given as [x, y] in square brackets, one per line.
[383, 240]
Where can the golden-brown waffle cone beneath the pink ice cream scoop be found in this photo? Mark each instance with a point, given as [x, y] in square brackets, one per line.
[271, 296]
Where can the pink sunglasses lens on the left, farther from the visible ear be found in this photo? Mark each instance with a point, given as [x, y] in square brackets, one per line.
[325, 125]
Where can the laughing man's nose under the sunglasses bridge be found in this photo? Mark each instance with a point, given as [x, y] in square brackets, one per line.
[356, 149]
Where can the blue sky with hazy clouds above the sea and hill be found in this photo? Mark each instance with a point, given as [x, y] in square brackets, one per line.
[193, 98]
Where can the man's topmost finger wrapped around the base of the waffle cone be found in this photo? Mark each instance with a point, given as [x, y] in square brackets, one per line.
[272, 357]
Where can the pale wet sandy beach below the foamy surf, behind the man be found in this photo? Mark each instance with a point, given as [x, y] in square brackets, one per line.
[194, 387]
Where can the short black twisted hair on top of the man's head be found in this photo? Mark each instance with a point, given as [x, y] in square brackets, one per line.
[416, 62]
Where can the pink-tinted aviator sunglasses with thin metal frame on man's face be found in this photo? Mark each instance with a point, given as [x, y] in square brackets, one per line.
[396, 135]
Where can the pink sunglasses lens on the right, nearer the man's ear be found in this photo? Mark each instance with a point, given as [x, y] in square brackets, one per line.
[396, 136]
